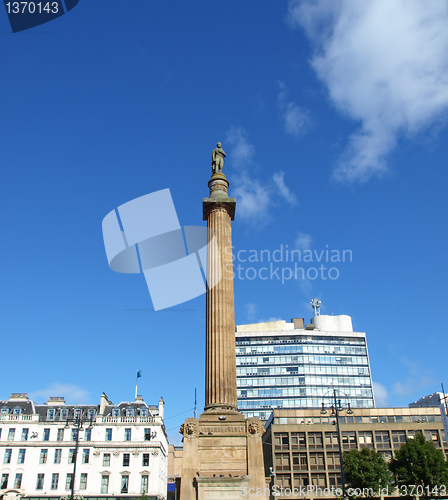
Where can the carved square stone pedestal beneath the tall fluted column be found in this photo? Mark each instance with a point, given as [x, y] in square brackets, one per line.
[222, 457]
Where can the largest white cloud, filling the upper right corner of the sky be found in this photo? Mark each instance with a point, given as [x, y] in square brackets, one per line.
[384, 64]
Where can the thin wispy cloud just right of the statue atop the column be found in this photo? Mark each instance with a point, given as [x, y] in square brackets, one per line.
[255, 197]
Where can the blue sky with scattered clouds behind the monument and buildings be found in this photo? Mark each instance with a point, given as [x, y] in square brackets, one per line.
[333, 118]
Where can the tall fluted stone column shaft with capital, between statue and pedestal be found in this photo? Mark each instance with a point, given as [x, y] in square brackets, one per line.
[220, 371]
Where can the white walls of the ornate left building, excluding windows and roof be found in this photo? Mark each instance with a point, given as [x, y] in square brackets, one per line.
[147, 457]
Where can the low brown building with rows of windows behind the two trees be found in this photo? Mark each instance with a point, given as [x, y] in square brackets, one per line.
[301, 446]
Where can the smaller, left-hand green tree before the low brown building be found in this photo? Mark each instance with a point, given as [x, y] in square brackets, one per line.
[366, 468]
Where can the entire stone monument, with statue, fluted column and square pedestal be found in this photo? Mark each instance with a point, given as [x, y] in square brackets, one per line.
[222, 453]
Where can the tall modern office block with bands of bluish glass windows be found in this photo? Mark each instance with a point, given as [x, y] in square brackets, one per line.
[293, 365]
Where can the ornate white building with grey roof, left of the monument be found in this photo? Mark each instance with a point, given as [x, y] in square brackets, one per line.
[122, 449]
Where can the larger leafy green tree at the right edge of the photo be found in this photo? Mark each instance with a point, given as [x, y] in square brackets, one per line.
[419, 462]
